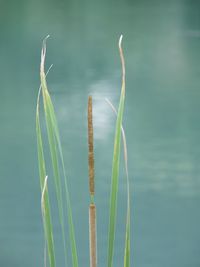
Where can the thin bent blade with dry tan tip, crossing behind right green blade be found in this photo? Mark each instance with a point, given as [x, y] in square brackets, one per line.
[127, 238]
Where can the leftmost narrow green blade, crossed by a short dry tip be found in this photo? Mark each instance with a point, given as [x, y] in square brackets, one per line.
[46, 206]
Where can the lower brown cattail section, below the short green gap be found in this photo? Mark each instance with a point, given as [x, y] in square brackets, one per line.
[92, 231]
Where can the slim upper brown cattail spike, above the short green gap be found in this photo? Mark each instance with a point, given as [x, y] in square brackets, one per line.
[90, 147]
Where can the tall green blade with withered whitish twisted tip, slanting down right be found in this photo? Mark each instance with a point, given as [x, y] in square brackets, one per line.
[56, 151]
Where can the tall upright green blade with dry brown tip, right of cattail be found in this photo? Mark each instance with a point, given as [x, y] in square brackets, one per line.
[115, 166]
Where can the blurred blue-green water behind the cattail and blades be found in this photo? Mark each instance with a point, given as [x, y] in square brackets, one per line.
[162, 122]
